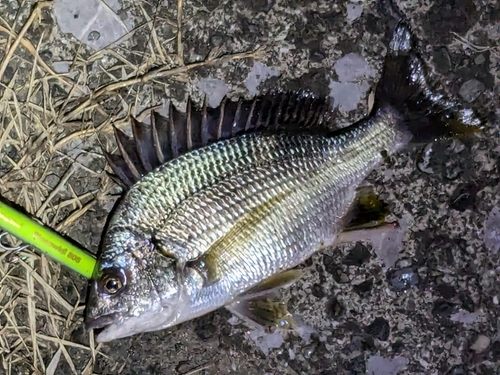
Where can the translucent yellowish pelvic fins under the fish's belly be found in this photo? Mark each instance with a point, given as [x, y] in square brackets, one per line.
[261, 304]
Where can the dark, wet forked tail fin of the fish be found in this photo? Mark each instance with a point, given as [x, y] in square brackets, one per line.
[404, 86]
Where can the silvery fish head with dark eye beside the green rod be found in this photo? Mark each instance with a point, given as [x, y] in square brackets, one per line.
[134, 288]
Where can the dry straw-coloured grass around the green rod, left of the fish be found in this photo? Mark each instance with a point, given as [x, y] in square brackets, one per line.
[36, 319]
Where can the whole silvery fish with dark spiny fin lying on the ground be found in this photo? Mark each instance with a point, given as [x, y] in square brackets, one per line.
[221, 205]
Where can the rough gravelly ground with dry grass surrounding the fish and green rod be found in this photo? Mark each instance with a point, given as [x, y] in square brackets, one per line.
[62, 88]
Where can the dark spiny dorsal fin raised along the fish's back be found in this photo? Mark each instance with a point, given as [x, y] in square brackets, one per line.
[169, 137]
